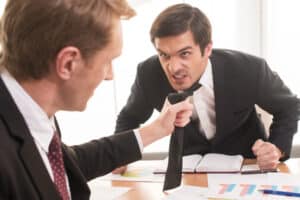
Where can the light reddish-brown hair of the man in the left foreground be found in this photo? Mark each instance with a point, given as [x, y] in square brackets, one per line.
[34, 31]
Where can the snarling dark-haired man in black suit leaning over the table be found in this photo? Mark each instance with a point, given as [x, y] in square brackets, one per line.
[225, 119]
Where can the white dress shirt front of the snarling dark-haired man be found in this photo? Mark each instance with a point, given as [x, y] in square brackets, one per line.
[204, 102]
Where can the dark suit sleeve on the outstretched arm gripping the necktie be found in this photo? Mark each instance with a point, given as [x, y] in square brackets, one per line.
[101, 156]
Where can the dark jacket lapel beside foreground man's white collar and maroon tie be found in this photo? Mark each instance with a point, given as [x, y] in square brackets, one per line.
[29, 154]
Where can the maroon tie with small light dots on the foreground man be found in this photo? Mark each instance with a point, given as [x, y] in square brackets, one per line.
[57, 166]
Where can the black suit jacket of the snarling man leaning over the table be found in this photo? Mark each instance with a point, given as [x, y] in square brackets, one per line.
[240, 81]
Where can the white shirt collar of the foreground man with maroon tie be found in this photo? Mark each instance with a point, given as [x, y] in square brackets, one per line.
[40, 125]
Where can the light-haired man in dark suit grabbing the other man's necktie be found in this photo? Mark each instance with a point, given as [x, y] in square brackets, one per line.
[54, 55]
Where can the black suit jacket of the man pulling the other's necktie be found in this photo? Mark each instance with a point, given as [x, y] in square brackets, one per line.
[22, 171]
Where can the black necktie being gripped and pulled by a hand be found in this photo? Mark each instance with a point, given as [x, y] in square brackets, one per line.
[173, 174]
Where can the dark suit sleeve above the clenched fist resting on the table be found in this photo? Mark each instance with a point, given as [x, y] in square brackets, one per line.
[276, 98]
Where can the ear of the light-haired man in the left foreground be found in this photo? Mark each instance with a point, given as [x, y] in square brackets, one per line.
[67, 60]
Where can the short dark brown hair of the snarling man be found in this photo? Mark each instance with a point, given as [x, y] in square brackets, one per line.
[180, 18]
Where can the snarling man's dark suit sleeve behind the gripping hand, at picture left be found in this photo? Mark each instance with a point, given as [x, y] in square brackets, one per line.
[137, 109]
